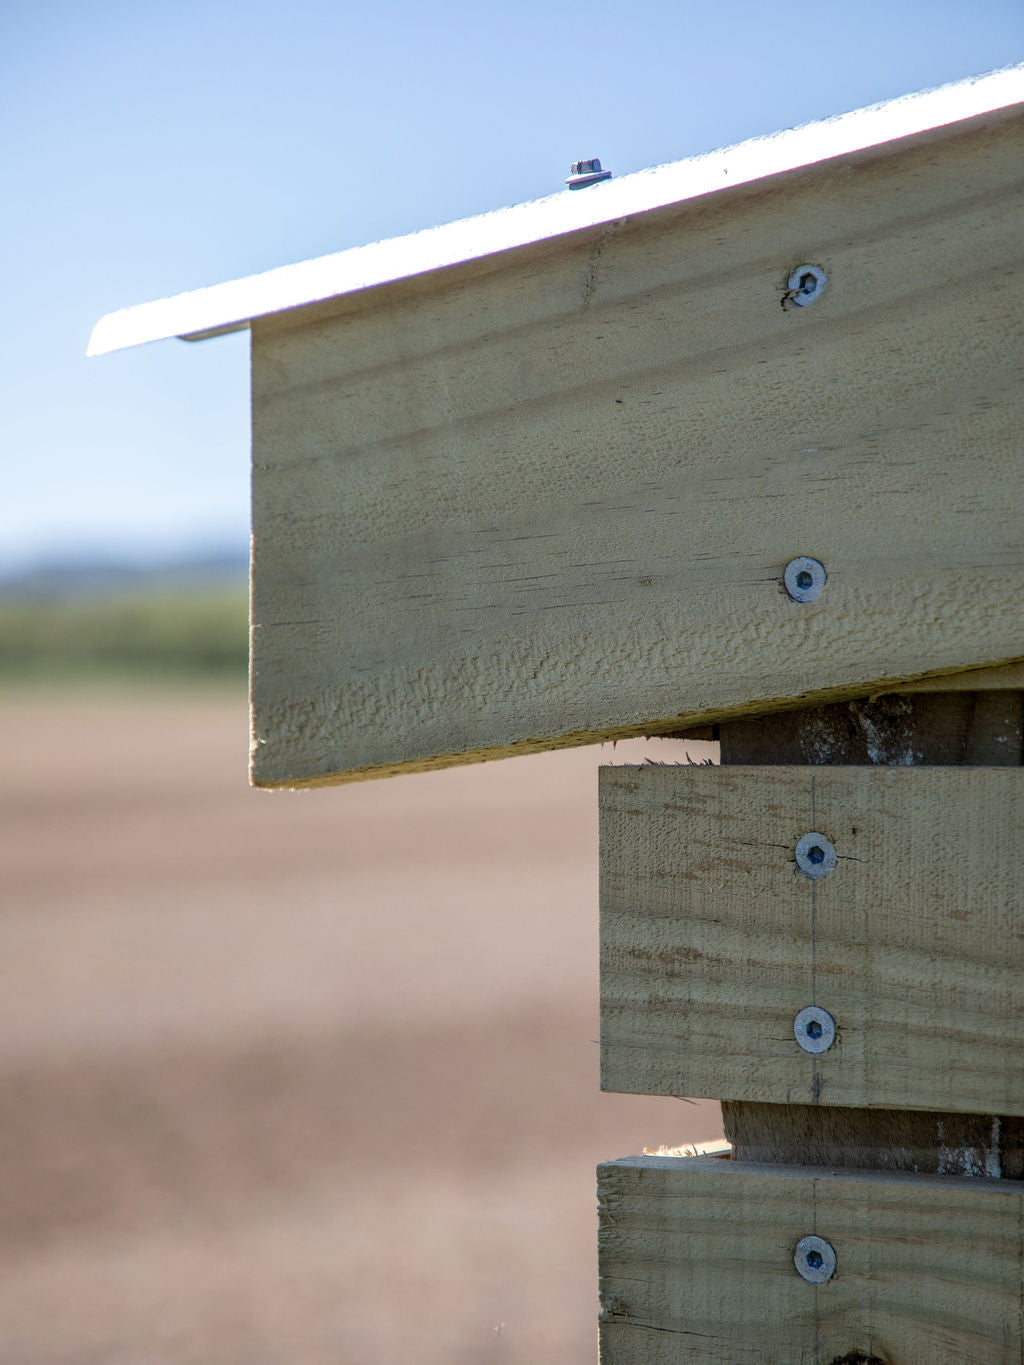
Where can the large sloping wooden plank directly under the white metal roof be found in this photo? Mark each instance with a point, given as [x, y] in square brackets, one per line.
[550, 498]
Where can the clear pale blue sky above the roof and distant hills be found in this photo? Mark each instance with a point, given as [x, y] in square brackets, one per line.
[151, 148]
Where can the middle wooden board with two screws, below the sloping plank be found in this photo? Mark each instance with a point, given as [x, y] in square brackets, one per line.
[712, 940]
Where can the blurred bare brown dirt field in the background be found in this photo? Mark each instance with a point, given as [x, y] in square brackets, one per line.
[297, 1078]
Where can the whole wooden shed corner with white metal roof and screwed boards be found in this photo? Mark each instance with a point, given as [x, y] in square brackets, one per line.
[728, 448]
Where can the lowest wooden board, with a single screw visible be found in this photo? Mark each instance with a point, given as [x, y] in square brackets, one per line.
[697, 1265]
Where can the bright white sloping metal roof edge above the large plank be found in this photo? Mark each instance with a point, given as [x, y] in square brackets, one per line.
[229, 308]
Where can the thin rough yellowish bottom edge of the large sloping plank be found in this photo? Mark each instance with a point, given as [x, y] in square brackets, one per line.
[1006, 674]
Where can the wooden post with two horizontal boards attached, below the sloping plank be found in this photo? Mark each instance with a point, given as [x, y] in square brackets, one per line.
[900, 1146]
